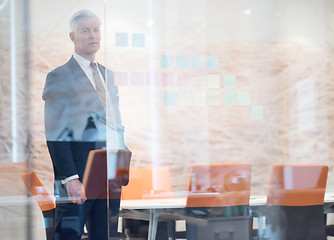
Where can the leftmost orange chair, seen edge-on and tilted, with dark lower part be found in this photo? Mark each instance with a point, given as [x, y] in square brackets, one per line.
[43, 199]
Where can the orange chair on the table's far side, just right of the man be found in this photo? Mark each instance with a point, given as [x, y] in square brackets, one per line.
[147, 183]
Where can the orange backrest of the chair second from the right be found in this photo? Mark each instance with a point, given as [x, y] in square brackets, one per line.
[219, 185]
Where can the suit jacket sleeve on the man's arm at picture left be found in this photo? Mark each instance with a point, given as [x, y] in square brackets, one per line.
[56, 117]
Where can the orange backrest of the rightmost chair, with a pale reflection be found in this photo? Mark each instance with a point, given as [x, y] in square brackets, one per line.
[297, 185]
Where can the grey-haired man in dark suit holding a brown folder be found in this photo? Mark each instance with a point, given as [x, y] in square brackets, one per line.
[87, 191]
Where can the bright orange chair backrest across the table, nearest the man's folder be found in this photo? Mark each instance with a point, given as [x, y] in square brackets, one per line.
[148, 183]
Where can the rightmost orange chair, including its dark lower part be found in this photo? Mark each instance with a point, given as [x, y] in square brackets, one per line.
[295, 202]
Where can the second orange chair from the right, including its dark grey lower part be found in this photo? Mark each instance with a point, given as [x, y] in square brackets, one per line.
[219, 194]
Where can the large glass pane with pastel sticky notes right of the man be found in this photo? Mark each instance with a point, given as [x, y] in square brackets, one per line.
[221, 82]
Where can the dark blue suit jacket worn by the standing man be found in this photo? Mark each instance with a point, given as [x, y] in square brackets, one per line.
[69, 99]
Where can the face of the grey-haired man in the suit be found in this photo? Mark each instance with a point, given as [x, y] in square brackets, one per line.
[87, 37]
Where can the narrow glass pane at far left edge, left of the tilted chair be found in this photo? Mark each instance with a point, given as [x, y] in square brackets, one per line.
[15, 143]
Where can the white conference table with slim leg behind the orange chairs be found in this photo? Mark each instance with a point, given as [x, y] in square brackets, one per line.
[152, 209]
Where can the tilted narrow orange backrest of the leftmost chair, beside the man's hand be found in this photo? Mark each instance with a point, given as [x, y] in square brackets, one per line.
[37, 189]
